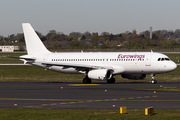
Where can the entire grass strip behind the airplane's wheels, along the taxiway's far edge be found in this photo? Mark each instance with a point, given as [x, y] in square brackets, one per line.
[36, 74]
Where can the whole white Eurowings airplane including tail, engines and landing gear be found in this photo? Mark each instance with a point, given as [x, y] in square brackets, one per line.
[95, 65]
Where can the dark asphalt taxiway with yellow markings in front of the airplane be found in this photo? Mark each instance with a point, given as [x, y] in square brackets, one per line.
[86, 96]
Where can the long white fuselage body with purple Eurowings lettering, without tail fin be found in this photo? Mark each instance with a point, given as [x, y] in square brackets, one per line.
[119, 62]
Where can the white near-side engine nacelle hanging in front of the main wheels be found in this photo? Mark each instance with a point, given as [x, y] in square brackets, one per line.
[101, 74]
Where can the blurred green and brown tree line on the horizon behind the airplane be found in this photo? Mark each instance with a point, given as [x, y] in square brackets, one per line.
[53, 40]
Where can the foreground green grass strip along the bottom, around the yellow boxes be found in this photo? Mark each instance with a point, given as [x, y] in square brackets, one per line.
[85, 114]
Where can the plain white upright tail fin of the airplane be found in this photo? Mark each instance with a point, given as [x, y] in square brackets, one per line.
[33, 42]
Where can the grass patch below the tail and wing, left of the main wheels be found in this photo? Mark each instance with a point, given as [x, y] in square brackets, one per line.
[35, 74]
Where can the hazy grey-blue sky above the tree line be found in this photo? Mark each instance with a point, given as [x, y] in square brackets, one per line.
[114, 16]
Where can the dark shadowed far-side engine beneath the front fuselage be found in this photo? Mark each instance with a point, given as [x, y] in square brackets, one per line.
[134, 76]
